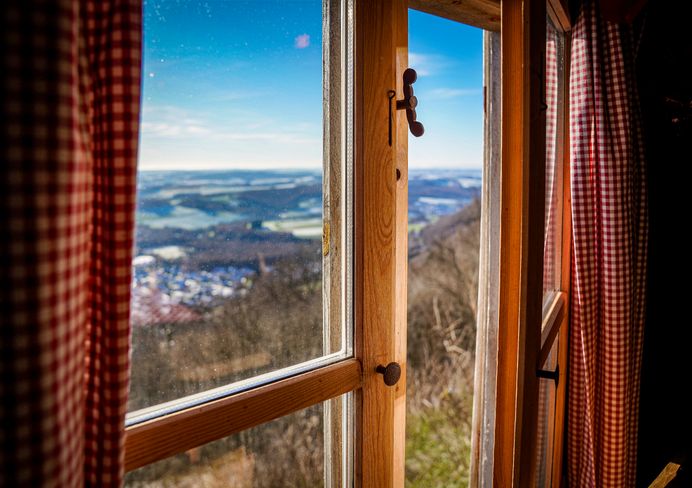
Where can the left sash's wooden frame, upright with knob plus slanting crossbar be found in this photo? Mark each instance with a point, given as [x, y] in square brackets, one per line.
[380, 252]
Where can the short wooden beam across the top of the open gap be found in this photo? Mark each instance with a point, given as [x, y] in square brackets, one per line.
[484, 14]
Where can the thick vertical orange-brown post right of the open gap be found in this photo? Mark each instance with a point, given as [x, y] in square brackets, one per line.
[521, 237]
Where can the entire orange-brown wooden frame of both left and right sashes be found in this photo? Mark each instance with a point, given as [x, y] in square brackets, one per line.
[380, 269]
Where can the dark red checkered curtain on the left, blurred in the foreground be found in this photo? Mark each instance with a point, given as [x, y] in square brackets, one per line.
[70, 104]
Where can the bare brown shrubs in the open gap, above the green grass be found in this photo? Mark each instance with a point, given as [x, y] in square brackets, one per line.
[442, 301]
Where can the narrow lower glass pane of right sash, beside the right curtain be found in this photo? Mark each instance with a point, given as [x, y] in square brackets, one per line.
[546, 422]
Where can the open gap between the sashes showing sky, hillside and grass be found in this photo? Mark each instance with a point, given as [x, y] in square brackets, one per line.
[444, 232]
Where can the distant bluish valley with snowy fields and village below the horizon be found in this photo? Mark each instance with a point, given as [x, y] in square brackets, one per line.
[200, 234]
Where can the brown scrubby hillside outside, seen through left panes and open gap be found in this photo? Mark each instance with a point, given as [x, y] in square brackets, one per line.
[278, 319]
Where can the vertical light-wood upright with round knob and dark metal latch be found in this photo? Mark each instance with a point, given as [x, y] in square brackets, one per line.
[380, 302]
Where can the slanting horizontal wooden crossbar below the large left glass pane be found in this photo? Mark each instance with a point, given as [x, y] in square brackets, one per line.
[160, 438]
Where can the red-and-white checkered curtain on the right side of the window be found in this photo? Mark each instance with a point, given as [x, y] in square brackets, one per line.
[609, 255]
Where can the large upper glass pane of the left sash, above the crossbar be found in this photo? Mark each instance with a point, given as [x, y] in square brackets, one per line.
[242, 171]
